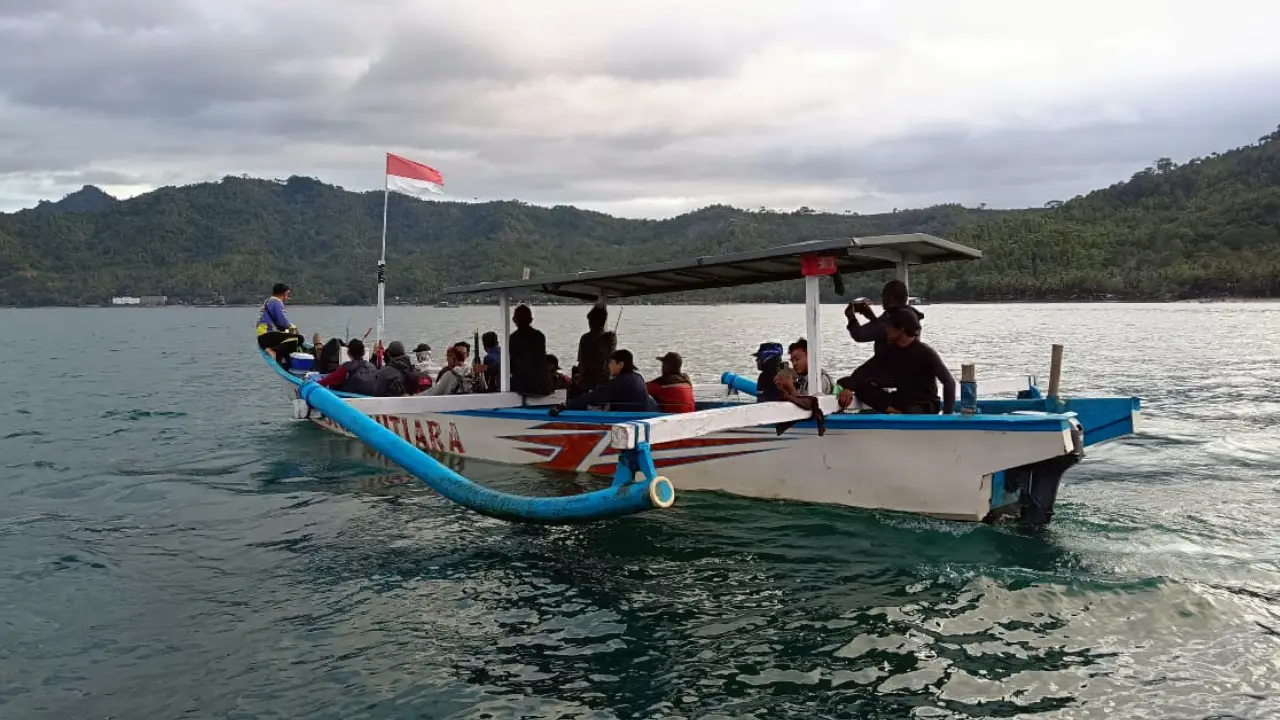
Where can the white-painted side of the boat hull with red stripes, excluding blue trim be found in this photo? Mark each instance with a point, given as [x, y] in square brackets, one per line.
[944, 473]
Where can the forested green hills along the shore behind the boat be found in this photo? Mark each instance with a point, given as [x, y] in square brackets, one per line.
[1206, 229]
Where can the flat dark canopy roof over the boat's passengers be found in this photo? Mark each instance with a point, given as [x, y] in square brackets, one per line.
[752, 267]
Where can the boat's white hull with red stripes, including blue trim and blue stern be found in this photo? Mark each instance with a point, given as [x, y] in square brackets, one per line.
[952, 467]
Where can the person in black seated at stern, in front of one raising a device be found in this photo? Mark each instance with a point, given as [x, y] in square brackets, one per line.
[909, 367]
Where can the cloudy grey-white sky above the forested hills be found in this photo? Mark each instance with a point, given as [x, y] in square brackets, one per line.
[643, 108]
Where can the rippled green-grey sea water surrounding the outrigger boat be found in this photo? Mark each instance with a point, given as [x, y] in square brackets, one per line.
[173, 545]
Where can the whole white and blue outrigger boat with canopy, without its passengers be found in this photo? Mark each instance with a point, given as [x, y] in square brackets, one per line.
[1007, 459]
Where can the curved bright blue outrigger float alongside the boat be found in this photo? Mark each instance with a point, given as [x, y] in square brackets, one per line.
[627, 496]
